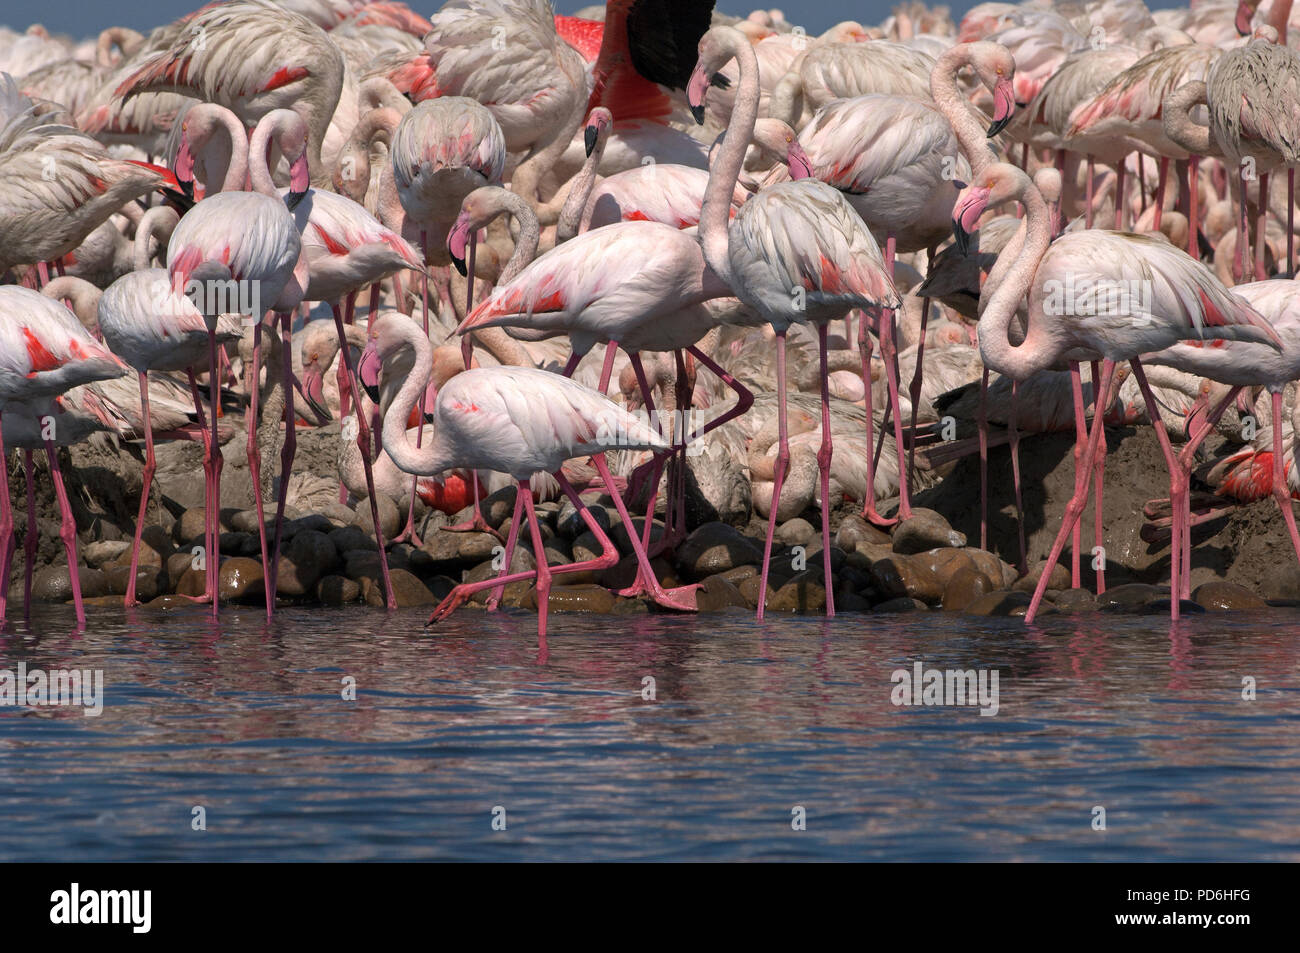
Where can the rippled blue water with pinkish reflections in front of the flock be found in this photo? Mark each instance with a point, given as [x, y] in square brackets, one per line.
[249, 721]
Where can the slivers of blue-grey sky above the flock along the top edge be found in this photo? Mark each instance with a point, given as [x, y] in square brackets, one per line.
[84, 19]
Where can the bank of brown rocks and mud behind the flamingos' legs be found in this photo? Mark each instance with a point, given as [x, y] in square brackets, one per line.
[330, 556]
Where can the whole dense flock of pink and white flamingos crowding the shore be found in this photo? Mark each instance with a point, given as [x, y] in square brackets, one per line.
[1085, 201]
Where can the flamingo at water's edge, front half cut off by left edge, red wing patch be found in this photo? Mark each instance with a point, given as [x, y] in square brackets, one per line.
[44, 353]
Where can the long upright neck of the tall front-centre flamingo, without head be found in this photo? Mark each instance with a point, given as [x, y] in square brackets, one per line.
[716, 213]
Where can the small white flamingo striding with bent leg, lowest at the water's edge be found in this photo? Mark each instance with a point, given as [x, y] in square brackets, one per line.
[521, 422]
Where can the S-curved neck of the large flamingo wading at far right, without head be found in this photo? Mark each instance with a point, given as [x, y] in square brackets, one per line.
[1038, 352]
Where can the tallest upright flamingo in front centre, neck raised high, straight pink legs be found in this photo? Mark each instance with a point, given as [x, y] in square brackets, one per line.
[795, 253]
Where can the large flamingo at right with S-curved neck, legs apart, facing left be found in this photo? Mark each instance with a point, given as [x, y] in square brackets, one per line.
[1168, 297]
